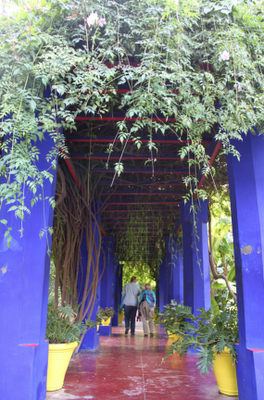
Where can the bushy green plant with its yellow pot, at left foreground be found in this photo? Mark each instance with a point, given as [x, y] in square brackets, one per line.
[63, 333]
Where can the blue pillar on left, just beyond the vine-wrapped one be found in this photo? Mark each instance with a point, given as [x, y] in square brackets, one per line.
[107, 295]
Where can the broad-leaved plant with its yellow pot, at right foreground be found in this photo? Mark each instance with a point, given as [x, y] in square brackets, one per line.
[213, 337]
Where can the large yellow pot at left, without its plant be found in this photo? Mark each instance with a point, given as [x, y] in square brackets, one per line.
[58, 361]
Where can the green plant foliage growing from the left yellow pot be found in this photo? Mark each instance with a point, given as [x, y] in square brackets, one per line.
[62, 326]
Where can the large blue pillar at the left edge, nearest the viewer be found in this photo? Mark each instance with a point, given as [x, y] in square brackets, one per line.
[24, 286]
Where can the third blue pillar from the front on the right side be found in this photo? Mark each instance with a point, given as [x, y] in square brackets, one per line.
[175, 269]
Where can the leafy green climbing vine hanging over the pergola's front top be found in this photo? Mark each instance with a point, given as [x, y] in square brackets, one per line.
[192, 57]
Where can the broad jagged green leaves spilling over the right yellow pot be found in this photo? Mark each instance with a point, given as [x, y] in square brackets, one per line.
[208, 334]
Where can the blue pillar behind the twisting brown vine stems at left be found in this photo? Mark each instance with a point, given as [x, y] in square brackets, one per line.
[91, 338]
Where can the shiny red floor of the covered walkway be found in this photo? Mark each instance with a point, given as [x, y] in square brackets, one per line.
[127, 367]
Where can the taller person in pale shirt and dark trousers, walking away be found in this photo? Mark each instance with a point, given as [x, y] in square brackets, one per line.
[131, 291]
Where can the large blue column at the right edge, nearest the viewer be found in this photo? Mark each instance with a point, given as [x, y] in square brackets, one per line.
[246, 185]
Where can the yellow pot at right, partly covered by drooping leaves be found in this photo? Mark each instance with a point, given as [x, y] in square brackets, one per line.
[225, 373]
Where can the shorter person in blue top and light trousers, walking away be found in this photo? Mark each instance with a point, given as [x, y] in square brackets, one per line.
[146, 305]
